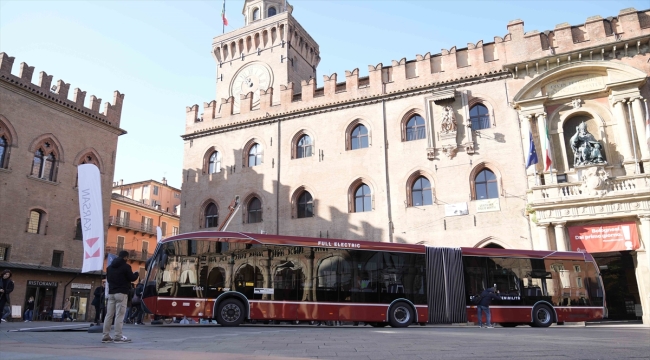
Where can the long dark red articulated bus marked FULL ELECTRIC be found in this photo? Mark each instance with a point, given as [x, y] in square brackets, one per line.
[235, 277]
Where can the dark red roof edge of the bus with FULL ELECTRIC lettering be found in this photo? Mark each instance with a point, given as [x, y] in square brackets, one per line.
[265, 239]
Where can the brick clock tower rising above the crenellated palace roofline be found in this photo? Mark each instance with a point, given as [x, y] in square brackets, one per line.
[271, 49]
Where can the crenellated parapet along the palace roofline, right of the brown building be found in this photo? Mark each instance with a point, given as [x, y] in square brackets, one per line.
[603, 39]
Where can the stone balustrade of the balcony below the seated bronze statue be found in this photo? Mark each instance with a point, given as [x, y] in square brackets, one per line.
[613, 187]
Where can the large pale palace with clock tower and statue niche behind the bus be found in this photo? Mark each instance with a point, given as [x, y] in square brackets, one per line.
[433, 150]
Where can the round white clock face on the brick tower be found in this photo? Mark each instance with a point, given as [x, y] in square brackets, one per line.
[251, 78]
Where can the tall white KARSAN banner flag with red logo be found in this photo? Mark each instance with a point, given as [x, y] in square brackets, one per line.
[92, 218]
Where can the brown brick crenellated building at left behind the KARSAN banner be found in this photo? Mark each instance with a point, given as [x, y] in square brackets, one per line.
[44, 136]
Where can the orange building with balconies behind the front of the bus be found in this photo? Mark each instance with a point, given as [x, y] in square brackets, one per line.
[137, 209]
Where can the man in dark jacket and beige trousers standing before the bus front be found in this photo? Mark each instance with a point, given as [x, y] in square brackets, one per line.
[118, 277]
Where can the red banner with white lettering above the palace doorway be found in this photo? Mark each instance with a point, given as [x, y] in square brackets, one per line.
[603, 238]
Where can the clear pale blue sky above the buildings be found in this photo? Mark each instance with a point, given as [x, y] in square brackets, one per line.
[158, 52]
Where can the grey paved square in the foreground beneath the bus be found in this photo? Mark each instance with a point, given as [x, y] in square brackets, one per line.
[324, 342]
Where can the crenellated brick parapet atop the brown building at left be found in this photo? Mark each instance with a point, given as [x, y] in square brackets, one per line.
[60, 93]
